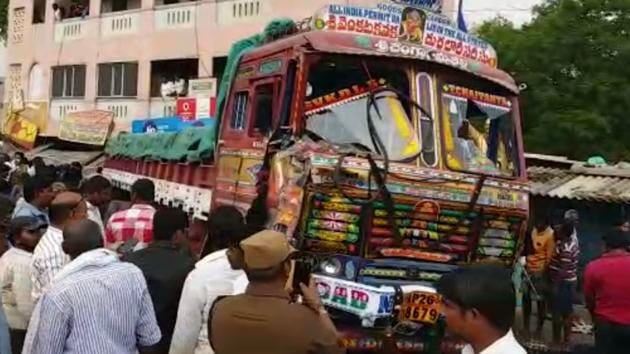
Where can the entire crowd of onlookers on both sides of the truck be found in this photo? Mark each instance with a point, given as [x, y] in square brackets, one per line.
[80, 273]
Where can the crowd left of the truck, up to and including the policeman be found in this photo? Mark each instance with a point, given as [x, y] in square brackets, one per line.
[80, 276]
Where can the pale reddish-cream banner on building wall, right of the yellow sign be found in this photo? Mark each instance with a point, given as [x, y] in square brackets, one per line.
[86, 127]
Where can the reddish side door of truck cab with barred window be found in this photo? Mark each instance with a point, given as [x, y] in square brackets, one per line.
[253, 110]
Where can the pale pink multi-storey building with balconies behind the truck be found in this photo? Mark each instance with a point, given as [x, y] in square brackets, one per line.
[114, 54]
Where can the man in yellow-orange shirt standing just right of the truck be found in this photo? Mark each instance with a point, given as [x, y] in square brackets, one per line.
[537, 285]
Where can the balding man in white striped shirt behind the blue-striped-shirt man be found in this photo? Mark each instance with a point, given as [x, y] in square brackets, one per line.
[48, 257]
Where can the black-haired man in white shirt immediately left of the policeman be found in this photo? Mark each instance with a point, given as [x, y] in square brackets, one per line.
[212, 277]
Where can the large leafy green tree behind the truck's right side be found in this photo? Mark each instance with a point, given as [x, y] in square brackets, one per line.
[574, 58]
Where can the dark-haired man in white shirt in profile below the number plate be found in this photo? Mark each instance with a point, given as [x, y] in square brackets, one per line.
[479, 304]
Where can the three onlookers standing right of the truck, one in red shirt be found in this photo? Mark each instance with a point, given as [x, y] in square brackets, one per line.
[552, 279]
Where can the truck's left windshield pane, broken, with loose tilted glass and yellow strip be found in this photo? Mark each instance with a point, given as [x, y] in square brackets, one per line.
[337, 102]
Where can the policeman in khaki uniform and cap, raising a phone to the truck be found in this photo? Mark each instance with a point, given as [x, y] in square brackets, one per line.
[264, 320]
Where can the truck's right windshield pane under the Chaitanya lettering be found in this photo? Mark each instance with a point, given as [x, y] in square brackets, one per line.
[479, 132]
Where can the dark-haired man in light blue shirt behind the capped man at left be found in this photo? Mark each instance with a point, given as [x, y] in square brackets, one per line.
[38, 195]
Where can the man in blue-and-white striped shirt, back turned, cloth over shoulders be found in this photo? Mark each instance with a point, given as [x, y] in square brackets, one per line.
[96, 304]
